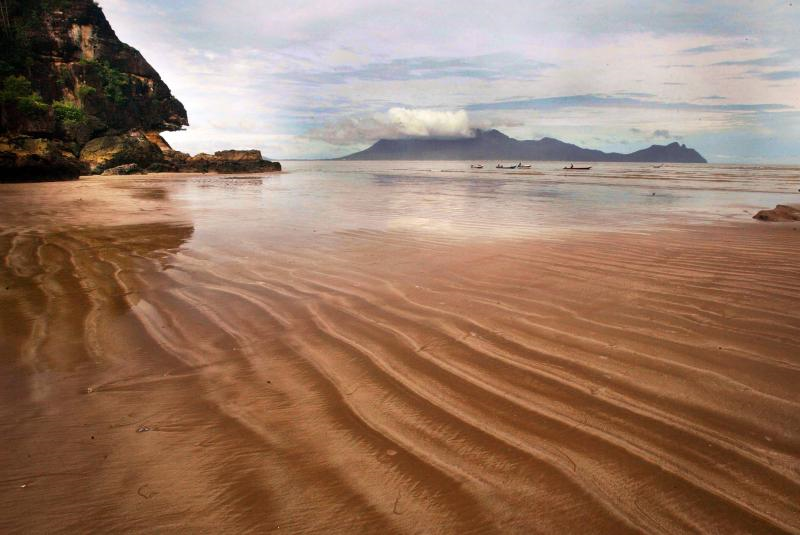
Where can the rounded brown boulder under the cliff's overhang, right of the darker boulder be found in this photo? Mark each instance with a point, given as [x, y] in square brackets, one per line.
[111, 151]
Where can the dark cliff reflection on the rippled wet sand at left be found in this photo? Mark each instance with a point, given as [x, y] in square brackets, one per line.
[62, 289]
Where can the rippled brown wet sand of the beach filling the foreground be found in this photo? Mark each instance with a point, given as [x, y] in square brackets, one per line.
[162, 371]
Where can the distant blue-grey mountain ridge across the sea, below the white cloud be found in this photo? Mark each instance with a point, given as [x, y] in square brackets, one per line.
[494, 145]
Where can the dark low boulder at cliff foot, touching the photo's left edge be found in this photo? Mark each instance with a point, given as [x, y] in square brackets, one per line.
[27, 159]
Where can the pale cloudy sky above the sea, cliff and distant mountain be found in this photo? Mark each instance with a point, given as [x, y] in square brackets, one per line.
[325, 78]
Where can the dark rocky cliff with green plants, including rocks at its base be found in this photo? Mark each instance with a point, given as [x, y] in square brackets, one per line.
[75, 99]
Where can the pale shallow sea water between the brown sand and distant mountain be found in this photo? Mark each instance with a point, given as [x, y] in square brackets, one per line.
[449, 198]
